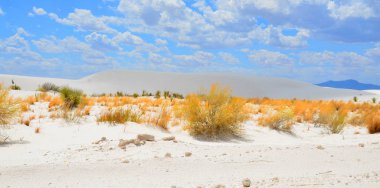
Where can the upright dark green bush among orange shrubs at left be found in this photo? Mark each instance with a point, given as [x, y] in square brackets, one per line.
[71, 97]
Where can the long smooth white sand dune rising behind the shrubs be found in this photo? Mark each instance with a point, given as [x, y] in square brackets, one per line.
[242, 85]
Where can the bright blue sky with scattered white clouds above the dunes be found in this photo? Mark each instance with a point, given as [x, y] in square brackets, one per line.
[307, 40]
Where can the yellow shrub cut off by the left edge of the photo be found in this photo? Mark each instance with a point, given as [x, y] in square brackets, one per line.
[9, 107]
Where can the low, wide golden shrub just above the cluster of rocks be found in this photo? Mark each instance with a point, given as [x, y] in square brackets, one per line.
[120, 116]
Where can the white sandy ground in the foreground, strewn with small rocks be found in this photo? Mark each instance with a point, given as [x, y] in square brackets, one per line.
[79, 151]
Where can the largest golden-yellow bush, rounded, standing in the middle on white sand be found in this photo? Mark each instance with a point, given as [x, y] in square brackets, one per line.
[214, 114]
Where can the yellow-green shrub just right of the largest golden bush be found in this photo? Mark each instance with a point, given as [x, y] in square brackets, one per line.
[281, 120]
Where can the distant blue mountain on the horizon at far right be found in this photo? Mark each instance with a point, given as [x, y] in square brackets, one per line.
[348, 84]
